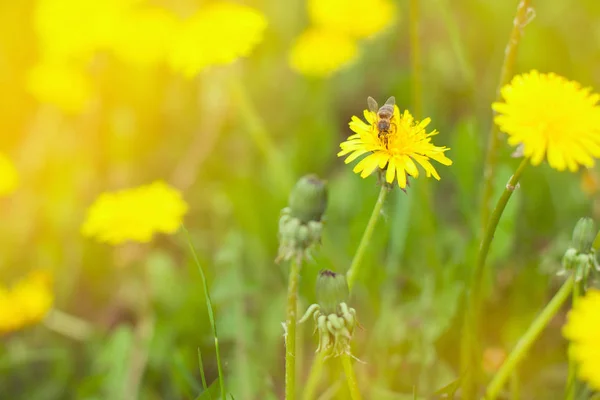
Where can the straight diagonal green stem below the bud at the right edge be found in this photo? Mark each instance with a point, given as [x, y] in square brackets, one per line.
[530, 336]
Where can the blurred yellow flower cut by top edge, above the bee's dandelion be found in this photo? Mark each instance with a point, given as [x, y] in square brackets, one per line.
[356, 18]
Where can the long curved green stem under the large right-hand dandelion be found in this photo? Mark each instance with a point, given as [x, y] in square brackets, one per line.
[470, 338]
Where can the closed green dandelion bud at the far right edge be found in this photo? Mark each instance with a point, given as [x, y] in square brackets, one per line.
[580, 258]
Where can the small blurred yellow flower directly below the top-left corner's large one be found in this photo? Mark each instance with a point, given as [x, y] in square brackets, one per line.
[60, 84]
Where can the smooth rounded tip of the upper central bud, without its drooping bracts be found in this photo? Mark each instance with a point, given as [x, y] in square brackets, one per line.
[308, 199]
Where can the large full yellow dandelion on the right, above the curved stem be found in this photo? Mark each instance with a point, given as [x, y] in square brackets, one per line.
[553, 118]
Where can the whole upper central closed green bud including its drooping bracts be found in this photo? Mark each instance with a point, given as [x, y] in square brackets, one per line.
[301, 224]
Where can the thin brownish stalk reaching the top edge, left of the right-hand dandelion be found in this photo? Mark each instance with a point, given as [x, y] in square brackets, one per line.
[510, 55]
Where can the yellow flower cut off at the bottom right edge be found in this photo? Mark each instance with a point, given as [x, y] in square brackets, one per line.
[583, 330]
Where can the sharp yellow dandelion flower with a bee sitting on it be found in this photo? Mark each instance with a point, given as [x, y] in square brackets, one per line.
[396, 152]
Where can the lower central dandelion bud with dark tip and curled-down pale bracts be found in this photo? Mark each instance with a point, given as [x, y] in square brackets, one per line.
[334, 320]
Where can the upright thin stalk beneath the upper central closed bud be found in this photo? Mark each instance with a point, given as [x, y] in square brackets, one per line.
[290, 338]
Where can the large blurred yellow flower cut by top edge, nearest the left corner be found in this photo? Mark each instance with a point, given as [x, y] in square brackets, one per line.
[75, 29]
